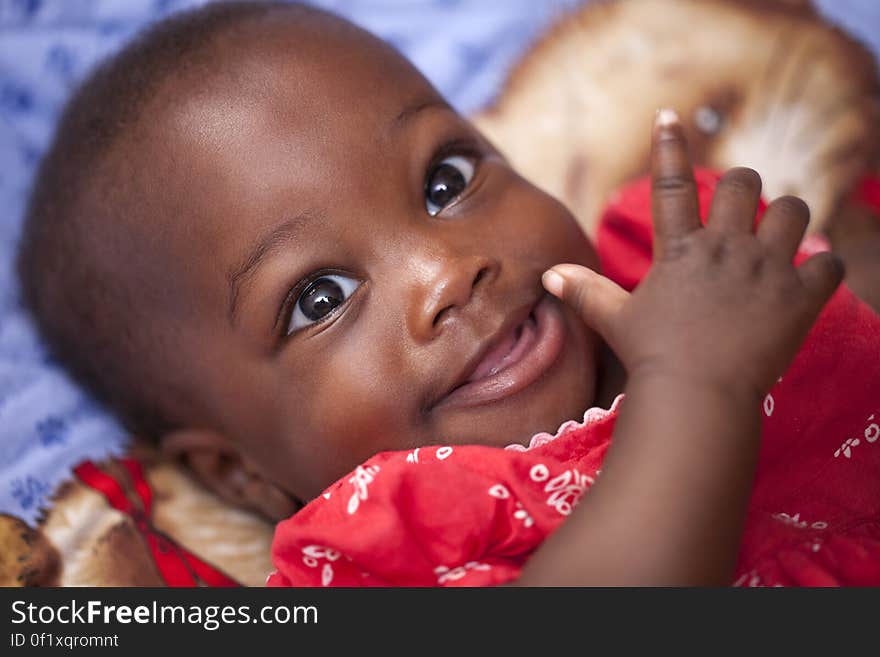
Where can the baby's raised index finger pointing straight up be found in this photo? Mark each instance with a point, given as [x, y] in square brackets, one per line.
[673, 191]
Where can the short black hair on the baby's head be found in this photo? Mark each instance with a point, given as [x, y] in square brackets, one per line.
[87, 316]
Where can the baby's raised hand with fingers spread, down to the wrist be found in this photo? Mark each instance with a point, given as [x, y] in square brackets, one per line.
[722, 305]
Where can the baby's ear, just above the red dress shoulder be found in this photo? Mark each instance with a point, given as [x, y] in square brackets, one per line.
[218, 464]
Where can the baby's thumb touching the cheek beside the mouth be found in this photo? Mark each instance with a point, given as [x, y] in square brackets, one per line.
[596, 299]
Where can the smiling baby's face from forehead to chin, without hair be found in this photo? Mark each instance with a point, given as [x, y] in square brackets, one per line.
[356, 268]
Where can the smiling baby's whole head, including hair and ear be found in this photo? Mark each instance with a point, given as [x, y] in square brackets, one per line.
[263, 238]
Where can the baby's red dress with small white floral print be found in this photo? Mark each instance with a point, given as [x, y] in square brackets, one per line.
[472, 515]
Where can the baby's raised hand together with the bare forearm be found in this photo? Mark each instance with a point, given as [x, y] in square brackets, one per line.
[717, 319]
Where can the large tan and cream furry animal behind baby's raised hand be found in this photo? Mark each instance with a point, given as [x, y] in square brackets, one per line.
[767, 85]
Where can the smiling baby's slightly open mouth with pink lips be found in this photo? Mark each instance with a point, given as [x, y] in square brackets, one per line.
[525, 346]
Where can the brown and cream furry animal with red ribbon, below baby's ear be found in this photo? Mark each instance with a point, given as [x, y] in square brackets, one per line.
[82, 541]
